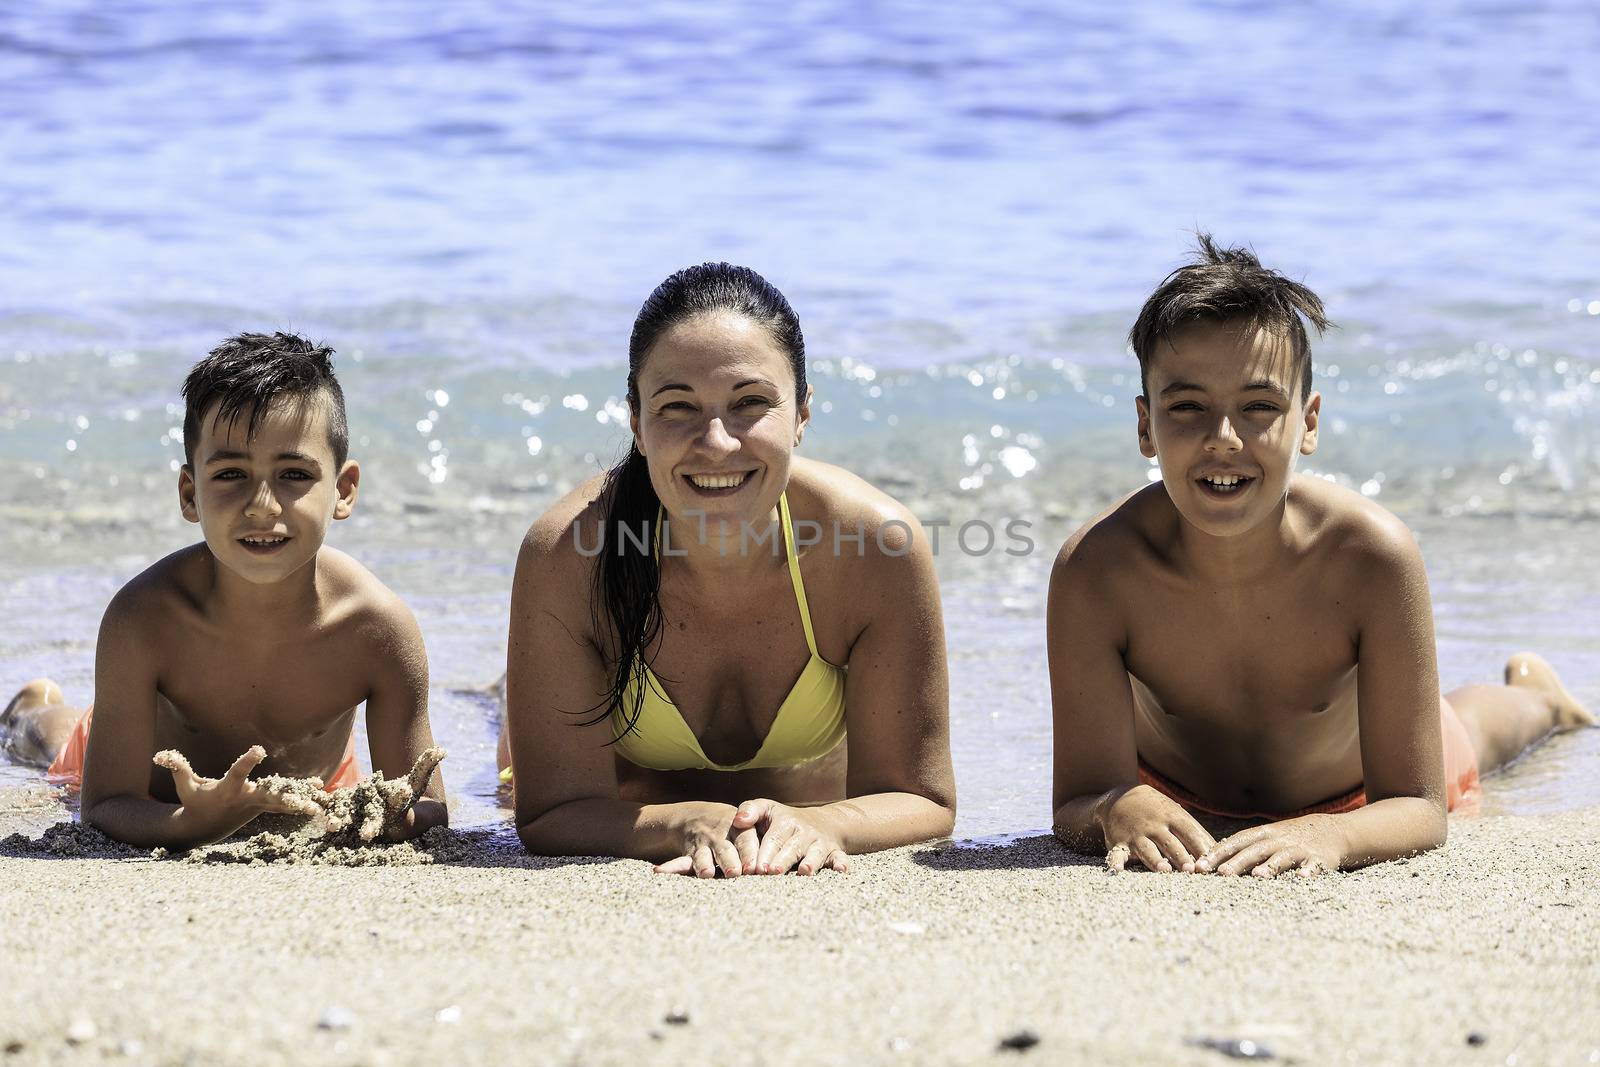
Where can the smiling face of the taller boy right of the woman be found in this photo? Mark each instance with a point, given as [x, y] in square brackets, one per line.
[1226, 423]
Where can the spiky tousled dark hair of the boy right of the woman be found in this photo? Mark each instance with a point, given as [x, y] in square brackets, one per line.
[1228, 286]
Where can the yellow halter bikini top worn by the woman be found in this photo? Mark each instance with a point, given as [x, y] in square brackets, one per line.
[809, 725]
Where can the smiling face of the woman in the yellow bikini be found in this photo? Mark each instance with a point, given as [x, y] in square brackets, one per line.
[718, 420]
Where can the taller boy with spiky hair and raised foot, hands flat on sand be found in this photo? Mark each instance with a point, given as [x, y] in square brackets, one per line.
[1241, 642]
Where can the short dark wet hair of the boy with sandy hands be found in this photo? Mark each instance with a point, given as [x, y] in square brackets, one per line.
[250, 372]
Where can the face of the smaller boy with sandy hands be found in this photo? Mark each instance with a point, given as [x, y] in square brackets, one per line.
[265, 502]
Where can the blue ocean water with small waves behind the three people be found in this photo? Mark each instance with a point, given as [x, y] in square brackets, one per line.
[966, 204]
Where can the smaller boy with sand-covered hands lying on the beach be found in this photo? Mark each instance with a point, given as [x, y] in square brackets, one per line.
[260, 641]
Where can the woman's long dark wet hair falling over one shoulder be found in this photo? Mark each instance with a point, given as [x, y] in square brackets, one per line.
[628, 578]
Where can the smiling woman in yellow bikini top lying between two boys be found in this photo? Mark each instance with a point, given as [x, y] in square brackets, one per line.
[684, 669]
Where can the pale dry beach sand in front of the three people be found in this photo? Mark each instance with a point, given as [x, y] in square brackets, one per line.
[1487, 953]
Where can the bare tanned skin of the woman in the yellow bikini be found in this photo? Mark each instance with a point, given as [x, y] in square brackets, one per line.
[719, 398]
